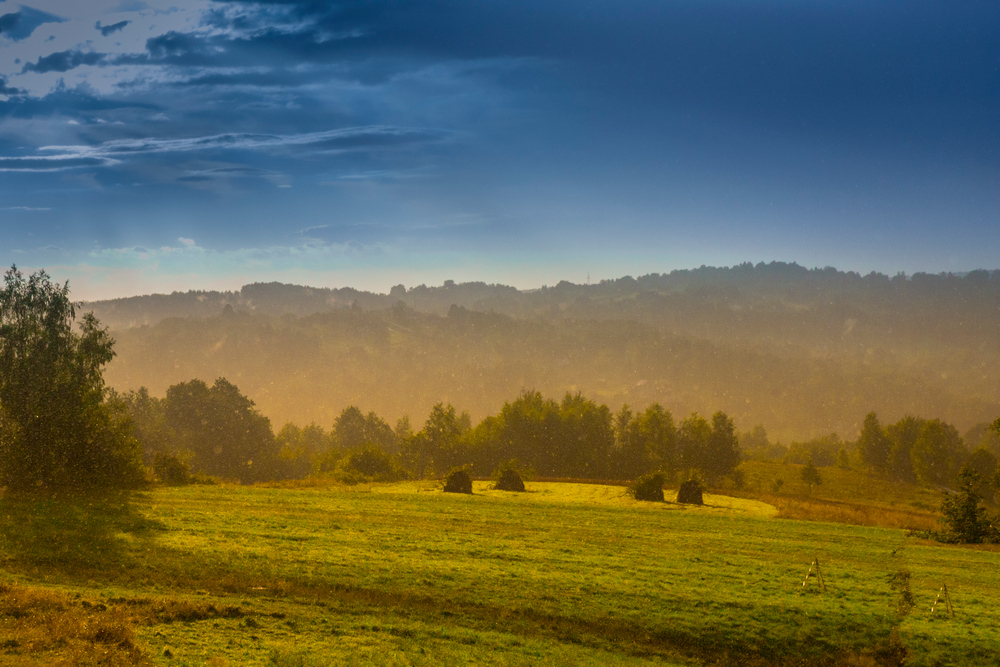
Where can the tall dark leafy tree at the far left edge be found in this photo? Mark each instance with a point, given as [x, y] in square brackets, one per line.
[57, 428]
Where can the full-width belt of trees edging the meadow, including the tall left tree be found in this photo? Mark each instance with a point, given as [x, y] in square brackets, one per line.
[60, 427]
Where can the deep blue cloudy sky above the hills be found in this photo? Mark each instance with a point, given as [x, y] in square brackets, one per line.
[153, 146]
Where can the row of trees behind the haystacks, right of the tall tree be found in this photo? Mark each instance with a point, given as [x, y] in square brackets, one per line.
[217, 431]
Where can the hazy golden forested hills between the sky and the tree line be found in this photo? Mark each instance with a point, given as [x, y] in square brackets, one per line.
[804, 352]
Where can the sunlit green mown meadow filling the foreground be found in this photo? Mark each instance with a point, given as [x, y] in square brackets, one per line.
[404, 574]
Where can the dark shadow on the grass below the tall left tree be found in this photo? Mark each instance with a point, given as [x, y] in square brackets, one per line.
[79, 535]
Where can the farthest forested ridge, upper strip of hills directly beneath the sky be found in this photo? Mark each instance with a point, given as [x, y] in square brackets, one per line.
[765, 297]
